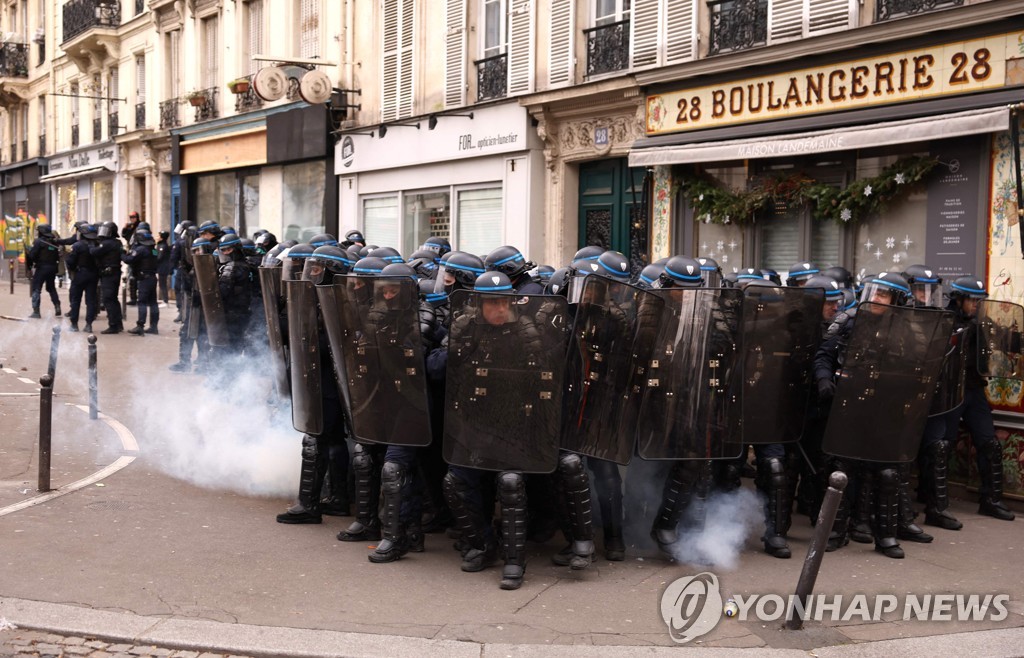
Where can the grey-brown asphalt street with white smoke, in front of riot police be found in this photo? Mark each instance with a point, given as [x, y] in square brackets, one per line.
[160, 538]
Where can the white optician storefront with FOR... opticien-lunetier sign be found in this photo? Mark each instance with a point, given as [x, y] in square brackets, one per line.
[477, 180]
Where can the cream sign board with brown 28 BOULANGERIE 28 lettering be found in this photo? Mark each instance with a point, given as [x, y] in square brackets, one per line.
[953, 69]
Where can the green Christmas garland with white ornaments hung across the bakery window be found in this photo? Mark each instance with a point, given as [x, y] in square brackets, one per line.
[860, 200]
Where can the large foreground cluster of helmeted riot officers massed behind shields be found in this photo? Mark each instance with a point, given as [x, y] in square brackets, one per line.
[401, 493]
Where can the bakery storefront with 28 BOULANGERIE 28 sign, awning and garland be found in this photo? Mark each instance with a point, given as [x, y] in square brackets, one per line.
[877, 160]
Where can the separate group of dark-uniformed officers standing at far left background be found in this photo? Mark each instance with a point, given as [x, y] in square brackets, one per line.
[93, 259]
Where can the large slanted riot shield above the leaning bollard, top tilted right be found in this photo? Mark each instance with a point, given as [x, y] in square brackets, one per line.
[890, 370]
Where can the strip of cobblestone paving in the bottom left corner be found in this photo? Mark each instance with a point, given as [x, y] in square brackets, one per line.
[20, 643]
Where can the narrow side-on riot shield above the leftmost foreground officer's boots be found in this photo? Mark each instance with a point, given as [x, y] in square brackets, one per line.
[304, 342]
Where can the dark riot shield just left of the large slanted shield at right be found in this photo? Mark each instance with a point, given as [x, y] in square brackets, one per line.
[781, 333]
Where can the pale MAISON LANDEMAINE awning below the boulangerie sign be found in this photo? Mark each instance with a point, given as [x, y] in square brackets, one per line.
[973, 122]
